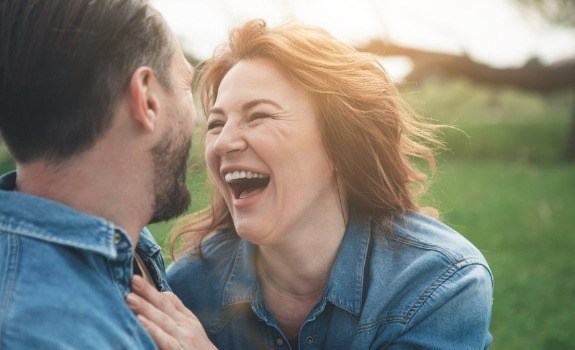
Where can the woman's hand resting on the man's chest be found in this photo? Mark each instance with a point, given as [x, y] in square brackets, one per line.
[169, 322]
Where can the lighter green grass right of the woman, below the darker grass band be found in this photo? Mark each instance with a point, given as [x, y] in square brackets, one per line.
[521, 217]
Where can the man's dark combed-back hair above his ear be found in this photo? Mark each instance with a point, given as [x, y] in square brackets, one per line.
[65, 63]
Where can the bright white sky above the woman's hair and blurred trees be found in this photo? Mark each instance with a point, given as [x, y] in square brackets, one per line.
[494, 32]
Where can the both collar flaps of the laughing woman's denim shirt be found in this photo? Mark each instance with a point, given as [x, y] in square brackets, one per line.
[342, 291]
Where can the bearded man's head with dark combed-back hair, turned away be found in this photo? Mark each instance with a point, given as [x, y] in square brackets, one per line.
[70, 69]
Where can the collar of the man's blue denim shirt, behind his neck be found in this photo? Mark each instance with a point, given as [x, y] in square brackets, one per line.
[47, 220]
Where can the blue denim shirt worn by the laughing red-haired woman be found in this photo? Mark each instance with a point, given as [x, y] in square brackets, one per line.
[423, 286]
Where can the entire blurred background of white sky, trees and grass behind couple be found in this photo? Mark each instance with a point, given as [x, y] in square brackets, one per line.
[503, 73]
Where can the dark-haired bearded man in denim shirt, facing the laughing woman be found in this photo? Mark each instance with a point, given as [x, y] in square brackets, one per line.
[97, 111]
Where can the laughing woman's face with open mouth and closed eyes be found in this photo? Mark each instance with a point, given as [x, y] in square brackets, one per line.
[265, 151]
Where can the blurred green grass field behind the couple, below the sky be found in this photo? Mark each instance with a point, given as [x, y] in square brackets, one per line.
[505, 185]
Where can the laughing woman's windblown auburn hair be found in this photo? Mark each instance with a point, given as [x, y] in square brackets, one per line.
[370, 134]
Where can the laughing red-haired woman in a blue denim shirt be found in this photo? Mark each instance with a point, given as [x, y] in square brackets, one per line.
[315, 238]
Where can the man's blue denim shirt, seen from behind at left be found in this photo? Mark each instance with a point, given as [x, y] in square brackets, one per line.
[64, 276]
